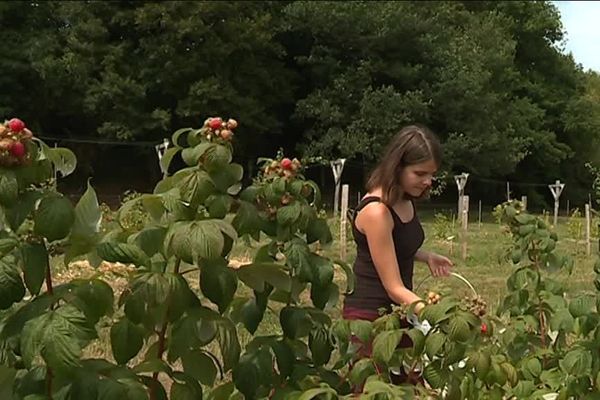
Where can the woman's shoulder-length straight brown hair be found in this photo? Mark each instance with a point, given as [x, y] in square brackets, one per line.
[414, 144]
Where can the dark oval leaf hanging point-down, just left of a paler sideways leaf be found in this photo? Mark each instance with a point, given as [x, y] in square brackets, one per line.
[218, 282]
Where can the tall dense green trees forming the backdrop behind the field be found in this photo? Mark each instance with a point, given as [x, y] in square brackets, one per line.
[340, 77]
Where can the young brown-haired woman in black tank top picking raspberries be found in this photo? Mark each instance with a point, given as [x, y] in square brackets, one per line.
[387, 231]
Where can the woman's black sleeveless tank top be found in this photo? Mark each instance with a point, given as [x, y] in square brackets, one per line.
[369, 293]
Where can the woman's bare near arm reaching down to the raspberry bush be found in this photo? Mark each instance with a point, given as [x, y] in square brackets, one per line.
[376, 222]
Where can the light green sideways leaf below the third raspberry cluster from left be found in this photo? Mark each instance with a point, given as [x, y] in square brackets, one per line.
[255, 275]
